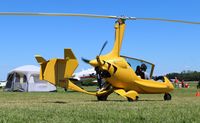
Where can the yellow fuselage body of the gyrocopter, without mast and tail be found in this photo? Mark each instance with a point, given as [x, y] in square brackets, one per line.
[125, 78]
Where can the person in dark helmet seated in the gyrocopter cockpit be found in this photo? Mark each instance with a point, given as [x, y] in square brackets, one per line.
[141, 71]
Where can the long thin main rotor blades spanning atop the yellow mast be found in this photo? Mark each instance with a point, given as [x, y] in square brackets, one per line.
[93, 16]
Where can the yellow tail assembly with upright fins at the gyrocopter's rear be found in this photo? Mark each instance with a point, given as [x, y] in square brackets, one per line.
[58, 71]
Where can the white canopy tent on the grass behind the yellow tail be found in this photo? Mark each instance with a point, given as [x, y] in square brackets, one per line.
[26, 79]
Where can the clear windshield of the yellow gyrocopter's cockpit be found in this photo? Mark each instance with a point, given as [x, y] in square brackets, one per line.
[134, 63]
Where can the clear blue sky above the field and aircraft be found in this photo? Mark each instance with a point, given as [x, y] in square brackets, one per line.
[172, 47]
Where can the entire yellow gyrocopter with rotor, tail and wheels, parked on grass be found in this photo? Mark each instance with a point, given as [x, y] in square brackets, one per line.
[122, 75]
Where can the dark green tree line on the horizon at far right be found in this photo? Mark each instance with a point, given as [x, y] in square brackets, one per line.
[185, 75]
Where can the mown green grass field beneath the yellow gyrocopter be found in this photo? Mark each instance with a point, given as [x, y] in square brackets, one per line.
[72, 107]
